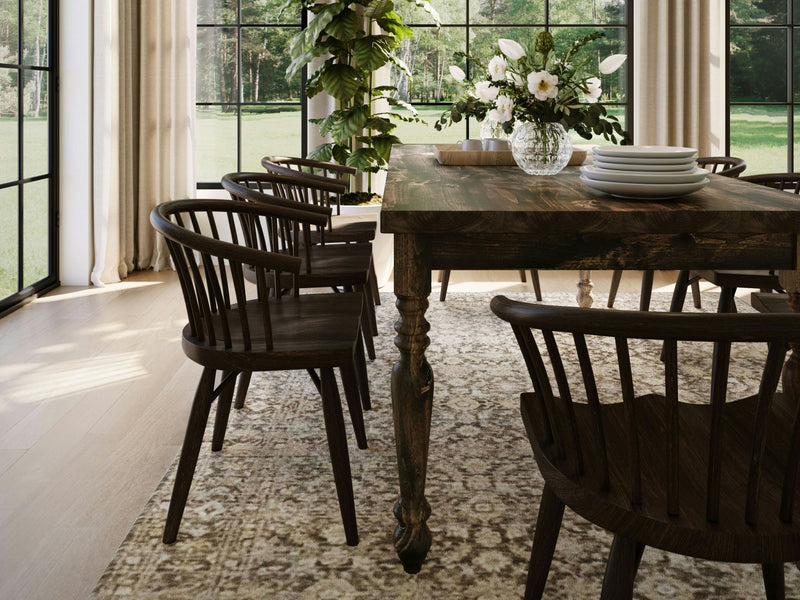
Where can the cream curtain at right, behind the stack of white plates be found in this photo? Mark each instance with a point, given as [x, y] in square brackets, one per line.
[679, 74]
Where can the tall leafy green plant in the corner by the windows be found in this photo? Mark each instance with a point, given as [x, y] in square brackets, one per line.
[344, 31]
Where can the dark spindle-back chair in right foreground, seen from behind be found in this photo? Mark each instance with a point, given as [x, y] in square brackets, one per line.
[713, 480]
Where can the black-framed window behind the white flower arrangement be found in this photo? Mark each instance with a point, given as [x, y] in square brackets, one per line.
[474, 26]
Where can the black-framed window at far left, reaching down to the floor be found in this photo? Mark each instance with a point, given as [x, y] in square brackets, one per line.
[28, 187]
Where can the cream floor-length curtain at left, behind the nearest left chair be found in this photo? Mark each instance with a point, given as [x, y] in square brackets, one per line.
[143, 129]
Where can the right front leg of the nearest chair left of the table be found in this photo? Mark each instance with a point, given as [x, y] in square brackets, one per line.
[340, 459]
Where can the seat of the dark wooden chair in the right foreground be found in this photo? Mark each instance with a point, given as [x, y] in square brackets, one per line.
[689, 533]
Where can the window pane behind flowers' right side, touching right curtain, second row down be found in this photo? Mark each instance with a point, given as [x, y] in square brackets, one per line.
[614, 84]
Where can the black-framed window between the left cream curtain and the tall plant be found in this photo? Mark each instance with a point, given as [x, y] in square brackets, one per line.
[245, 107]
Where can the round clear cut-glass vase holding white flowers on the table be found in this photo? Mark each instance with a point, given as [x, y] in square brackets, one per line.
[540, 148]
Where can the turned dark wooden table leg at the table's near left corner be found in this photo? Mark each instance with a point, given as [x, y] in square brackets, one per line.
[412, 400]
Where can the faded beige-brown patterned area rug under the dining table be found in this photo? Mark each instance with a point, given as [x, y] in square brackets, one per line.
[262, 519]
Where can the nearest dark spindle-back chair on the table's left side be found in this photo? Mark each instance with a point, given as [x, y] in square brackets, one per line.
[236, 328]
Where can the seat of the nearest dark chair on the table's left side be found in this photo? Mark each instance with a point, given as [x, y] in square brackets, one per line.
[308, 331]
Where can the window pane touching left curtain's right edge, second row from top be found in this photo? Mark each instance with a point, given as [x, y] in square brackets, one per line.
[216, 64]
